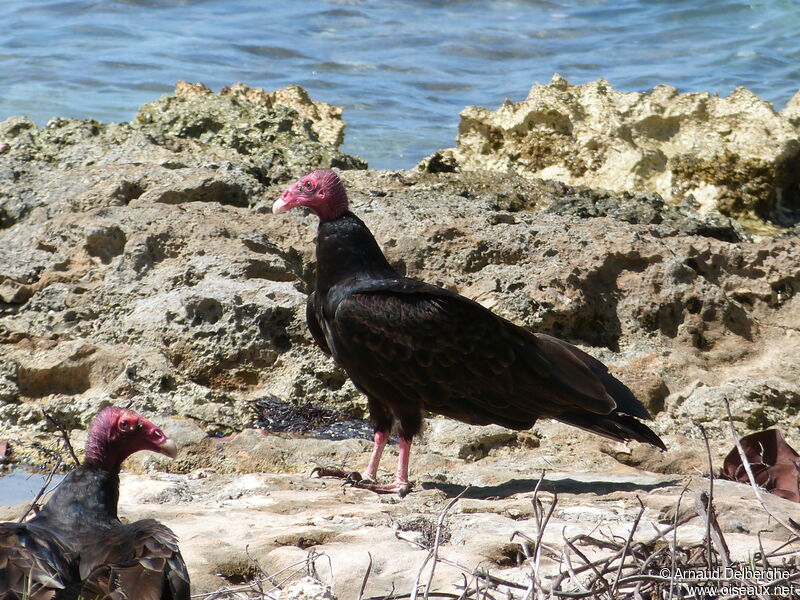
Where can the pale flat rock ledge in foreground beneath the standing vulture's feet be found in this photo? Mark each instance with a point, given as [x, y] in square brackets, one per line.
[238, 528]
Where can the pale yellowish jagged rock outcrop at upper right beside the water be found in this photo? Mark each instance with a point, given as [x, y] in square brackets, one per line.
[731, 154]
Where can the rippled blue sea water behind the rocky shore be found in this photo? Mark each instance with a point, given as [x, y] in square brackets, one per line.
[403, 69]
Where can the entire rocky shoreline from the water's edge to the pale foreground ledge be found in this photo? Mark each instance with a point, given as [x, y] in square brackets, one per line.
[140, 263]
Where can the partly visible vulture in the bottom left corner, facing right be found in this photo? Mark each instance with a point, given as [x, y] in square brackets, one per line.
[76, 546]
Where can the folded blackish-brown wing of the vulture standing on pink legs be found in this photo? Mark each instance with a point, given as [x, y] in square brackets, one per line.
[450, 355]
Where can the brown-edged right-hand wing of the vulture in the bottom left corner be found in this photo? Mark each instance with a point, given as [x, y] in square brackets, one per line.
[137, 560]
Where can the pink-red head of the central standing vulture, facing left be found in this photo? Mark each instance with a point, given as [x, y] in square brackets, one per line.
[322, 191]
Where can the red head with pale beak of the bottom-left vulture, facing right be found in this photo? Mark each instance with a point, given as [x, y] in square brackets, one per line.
[116, 433]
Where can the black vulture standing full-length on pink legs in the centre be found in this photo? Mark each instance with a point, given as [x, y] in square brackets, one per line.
[411, 347]
